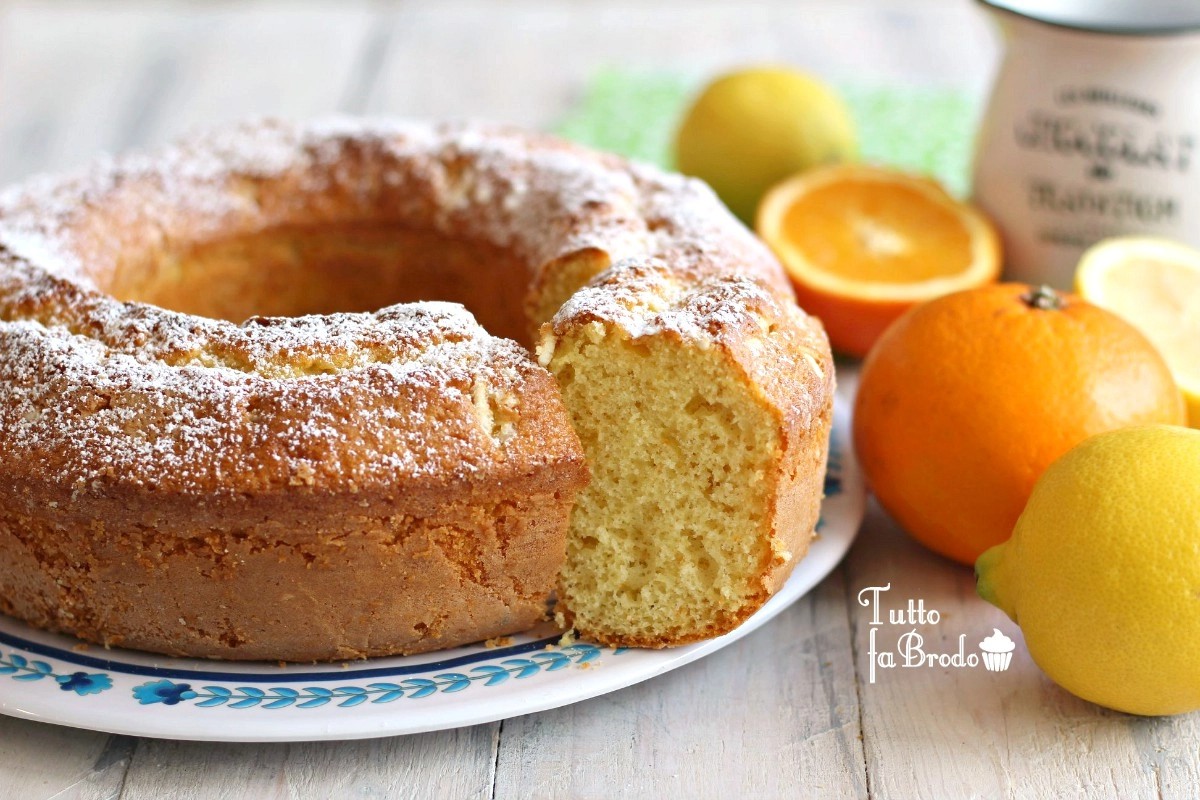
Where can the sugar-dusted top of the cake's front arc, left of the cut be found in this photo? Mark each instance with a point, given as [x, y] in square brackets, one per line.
[88, 412]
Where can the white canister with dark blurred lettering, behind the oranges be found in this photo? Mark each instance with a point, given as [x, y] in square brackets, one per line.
[1093, 130]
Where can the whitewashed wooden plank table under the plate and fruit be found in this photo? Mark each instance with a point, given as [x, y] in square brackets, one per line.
[790, 711]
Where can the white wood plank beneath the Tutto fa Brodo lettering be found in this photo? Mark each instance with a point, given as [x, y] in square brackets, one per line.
[970, 733]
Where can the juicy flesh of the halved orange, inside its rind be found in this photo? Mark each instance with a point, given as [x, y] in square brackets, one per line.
[879, 233]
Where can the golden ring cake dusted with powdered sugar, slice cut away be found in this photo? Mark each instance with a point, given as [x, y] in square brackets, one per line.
[233, 424]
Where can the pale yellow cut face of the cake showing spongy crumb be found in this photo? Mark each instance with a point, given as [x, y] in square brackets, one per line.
[680, 458]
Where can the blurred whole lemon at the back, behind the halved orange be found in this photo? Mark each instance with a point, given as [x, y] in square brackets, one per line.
[749, 130]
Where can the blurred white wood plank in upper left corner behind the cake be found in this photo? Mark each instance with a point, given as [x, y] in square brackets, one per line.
[77, 80]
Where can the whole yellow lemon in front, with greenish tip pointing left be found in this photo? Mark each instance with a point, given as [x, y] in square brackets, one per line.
[1103, 570]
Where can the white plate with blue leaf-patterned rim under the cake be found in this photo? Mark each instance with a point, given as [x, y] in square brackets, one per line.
[58, 679]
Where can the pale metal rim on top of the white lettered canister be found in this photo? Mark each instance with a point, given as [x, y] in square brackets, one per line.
[1132, 17]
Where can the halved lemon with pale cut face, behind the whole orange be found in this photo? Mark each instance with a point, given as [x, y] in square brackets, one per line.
[1155, 285]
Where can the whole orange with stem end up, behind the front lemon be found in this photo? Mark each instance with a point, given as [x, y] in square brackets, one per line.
[968, 399]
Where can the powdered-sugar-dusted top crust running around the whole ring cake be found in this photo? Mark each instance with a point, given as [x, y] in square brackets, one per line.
[101, 390]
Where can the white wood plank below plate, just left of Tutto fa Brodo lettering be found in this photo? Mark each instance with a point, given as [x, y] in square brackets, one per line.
[775, 715]
